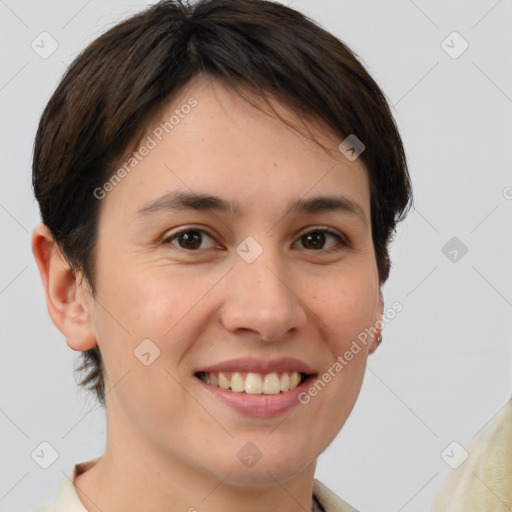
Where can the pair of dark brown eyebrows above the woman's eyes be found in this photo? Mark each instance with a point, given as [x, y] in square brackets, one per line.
[174, 201]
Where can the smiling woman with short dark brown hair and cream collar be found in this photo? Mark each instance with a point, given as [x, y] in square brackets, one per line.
[218, 186]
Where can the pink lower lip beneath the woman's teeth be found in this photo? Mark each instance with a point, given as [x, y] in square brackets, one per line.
[260, 406]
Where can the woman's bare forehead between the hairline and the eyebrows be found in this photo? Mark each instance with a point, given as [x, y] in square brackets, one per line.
[208, 140]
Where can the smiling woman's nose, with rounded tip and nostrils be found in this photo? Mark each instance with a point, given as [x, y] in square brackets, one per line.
[261, 299]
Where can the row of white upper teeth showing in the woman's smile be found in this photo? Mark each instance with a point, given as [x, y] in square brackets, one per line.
[253, 383]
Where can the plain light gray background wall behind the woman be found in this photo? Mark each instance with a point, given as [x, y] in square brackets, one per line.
[444, 368]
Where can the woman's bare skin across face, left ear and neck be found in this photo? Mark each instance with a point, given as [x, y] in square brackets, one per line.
[168, 441]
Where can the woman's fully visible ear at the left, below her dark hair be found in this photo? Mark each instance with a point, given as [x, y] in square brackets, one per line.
[68, 303]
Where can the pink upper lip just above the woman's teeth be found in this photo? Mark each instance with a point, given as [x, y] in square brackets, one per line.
[247, 365]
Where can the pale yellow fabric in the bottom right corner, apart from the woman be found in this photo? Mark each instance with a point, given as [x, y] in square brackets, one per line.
[483, 483]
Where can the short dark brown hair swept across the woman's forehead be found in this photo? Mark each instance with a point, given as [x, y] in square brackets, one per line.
[119, 83]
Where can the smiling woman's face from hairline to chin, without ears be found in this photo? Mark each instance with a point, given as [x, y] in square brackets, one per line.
[193, 298]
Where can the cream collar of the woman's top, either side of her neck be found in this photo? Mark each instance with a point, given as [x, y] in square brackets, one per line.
[67, 499]
